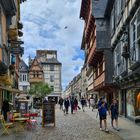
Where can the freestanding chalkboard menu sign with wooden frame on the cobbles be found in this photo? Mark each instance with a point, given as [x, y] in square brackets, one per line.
[48, 114]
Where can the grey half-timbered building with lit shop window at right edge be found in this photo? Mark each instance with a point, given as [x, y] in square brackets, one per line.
[125, 40]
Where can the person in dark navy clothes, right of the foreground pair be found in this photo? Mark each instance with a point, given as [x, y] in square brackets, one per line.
[114, 114]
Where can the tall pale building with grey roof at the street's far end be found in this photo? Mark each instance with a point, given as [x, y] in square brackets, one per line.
[52, 71]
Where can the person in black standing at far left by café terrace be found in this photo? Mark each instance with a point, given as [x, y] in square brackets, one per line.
[5, 109]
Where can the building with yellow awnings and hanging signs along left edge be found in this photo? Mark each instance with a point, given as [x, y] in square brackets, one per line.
[10, 32]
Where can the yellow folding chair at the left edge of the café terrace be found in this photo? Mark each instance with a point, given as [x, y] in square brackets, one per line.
[5, 125]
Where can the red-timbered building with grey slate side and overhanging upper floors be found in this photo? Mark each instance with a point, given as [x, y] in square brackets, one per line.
[97, 46]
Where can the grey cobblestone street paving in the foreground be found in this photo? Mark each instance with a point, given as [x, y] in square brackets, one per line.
[78, 126]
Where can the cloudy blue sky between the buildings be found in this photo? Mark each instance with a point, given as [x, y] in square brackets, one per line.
[54, 24]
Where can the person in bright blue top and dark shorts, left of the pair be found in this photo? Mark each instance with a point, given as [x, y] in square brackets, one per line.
[102, 108]
